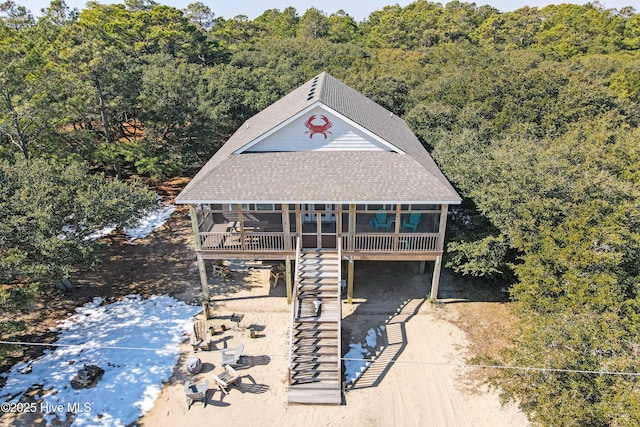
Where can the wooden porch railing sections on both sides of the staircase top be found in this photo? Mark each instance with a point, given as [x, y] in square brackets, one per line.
[279, 242]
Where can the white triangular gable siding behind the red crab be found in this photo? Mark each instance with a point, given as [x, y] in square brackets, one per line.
[340, 136]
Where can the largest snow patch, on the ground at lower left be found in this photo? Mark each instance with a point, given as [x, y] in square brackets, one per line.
[104, 335]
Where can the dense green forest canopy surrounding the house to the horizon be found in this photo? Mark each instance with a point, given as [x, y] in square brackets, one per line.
[532, 114]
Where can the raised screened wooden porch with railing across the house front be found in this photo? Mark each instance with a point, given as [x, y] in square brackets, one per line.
[235, 231]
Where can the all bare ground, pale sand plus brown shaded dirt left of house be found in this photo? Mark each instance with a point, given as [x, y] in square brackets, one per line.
[415, 381]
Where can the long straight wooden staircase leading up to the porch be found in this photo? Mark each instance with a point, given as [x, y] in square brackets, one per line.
[315, 366]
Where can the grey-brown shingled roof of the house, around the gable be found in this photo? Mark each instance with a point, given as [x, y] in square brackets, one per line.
[407, 175]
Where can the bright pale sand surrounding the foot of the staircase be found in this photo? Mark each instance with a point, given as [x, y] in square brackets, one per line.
[415, 381]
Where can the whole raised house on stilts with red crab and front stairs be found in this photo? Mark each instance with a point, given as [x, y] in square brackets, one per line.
[320, 179]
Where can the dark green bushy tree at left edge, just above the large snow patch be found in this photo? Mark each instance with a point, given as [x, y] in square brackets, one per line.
[49, 213]
